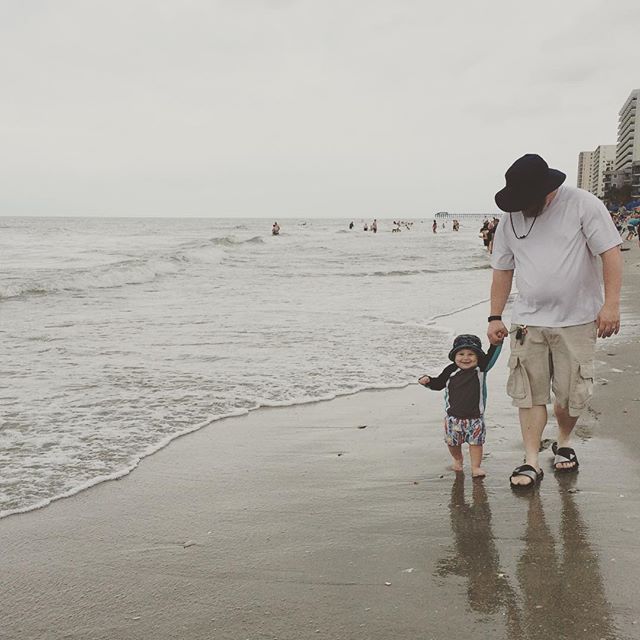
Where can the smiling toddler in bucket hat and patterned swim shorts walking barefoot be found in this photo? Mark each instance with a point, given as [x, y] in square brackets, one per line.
[465, 398]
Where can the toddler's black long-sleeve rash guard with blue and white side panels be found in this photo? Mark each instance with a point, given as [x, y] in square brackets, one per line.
[466, 389]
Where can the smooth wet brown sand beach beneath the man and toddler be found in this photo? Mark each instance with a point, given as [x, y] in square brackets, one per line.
[298, 523]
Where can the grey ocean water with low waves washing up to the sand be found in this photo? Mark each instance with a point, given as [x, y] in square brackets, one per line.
[120, 334]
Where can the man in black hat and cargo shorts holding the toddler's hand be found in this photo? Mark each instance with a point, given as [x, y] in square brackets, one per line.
[551, 235]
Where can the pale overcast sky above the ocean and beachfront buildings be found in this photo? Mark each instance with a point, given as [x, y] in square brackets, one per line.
[300, 108]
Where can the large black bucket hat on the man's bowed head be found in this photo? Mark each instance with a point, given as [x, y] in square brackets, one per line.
[528, 179]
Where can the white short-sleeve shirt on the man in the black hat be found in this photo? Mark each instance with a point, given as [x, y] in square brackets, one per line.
[556, 267]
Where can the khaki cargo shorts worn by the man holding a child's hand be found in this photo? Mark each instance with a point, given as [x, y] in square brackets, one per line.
[558, 359]
